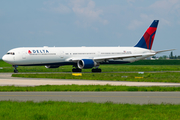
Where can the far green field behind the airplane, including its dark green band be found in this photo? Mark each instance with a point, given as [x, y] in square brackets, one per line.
[143, 65]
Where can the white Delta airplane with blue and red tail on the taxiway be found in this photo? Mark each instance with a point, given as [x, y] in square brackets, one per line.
[83, 57]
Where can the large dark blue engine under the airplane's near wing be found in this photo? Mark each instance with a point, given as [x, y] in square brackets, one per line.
[86, 63]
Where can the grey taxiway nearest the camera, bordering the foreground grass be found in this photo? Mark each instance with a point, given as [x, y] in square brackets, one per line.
[98, 97]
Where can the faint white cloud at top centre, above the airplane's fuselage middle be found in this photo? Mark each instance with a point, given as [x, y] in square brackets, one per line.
[85, 10]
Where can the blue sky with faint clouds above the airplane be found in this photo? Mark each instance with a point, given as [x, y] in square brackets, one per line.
[75, 23]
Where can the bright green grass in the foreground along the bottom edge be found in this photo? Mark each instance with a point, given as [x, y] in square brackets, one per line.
[86, 111]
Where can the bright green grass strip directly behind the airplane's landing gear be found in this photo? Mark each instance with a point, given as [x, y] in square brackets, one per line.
[105, 68]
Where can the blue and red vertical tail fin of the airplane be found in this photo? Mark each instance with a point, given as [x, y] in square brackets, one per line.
[147, 39]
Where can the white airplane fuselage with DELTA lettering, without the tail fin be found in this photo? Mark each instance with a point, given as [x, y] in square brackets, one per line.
[66, 55]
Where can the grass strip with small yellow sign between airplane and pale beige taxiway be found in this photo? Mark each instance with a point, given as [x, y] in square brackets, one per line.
[173, 77]
